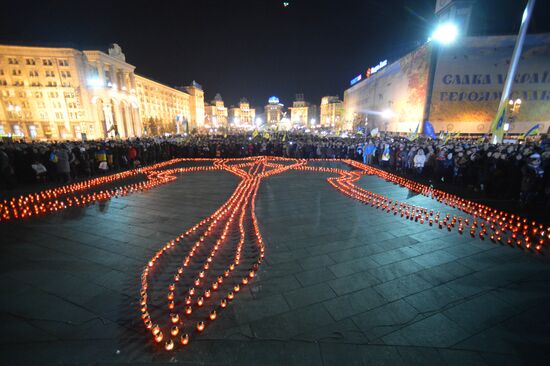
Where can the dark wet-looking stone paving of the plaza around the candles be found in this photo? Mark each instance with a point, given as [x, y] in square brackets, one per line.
[342, 284]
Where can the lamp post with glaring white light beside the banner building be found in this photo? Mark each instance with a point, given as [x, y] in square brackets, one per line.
[444, 35]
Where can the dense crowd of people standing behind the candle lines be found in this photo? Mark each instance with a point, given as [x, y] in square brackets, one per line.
[519, 171]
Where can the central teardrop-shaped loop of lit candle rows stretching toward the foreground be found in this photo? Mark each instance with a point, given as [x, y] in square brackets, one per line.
[206, 245]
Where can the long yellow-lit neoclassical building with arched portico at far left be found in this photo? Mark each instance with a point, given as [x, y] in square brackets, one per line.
[64, 93]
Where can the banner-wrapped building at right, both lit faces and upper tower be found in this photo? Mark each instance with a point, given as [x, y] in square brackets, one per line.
[468, 84]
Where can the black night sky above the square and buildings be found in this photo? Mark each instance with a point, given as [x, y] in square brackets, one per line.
[250, 48]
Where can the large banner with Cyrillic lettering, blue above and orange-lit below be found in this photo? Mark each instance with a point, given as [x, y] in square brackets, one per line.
[469, 80]
